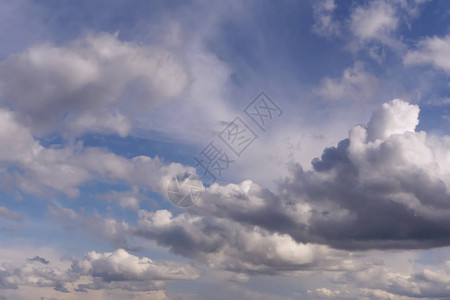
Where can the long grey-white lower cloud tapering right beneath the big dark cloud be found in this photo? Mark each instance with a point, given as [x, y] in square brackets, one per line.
[225, 243]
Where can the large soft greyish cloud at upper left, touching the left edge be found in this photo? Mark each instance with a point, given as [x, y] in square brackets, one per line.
[81, 86]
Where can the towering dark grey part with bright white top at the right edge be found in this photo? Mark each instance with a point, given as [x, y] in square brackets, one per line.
[384, 186]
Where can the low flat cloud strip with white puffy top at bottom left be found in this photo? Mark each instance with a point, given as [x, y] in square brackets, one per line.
[115, 270]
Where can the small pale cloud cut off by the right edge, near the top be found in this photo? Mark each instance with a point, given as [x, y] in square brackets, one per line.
[431, 51]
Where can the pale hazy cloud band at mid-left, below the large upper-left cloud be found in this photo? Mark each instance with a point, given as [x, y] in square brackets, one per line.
[45, 170]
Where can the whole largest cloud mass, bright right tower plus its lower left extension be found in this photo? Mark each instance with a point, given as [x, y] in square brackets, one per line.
[385, 186]
